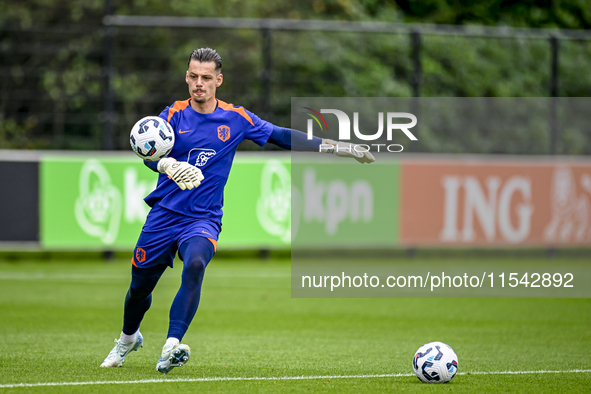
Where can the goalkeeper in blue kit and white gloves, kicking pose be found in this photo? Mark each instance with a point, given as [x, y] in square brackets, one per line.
[186, 206]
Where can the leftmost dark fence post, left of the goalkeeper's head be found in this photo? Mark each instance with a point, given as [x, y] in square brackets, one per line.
[108, 115]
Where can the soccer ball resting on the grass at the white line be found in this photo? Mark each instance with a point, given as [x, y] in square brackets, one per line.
[435, 362]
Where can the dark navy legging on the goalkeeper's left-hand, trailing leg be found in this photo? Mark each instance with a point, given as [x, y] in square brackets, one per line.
[139, 296]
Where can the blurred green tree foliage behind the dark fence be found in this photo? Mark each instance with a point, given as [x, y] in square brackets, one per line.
[52, 57]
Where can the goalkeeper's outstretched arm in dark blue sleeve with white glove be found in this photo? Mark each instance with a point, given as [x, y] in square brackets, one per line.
[296, 140]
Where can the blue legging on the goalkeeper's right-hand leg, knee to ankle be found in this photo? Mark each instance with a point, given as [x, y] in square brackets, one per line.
[196, 253]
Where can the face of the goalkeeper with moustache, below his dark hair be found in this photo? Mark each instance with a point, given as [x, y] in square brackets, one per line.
[203, 81]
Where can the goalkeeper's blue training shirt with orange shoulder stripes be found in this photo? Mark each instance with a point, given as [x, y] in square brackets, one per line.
[208, 141]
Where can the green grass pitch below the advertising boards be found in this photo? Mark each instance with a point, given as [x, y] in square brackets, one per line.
[58, 319]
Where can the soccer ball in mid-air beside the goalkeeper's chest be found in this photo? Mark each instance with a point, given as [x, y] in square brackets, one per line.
[151, 138]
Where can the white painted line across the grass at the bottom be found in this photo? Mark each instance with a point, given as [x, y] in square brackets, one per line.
[262, 378]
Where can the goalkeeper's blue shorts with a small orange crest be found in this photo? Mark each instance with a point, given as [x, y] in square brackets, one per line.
[164, 232]
